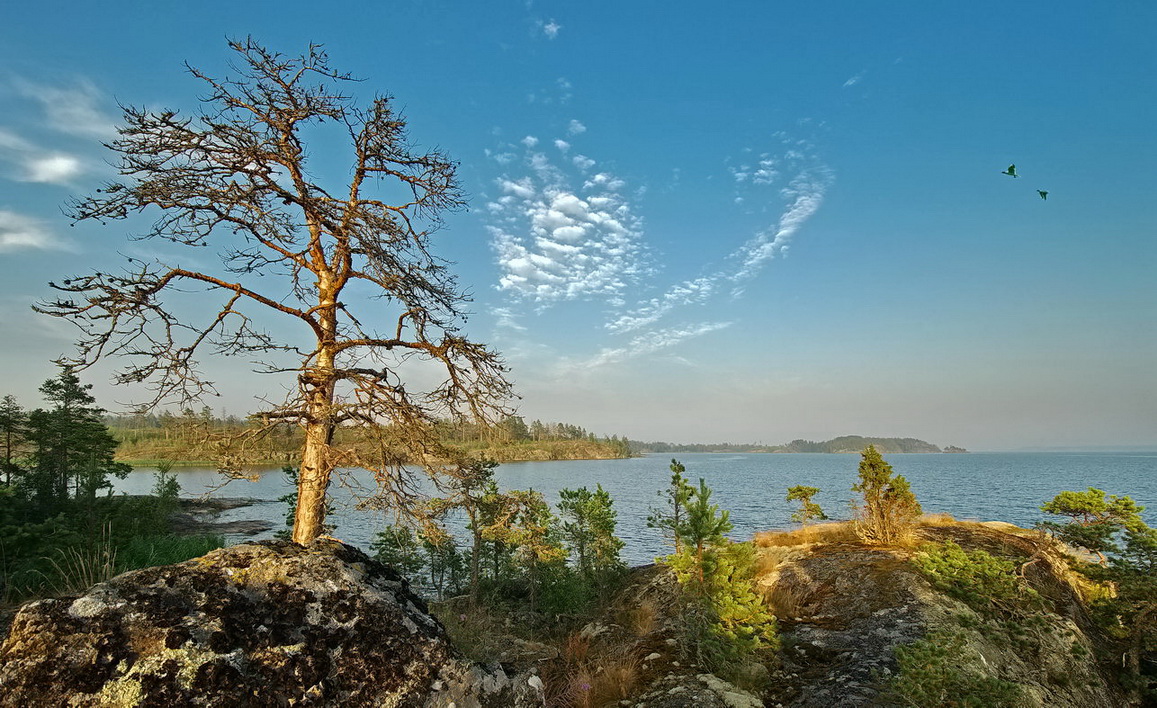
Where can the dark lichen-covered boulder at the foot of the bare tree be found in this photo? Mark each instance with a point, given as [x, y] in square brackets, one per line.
[266, 624]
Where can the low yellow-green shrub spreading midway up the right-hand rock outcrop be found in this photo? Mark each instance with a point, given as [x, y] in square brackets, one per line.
[987, 584]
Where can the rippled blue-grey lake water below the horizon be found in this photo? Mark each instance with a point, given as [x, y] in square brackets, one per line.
[1007, 486]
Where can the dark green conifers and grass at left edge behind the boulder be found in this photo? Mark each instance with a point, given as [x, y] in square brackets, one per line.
[58, 535]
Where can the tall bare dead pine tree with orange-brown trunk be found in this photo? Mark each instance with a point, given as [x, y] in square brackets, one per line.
[237, 176]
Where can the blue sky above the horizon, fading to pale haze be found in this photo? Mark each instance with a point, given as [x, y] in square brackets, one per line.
[755, 222]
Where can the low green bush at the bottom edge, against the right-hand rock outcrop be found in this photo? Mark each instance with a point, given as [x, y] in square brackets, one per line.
[932, 674]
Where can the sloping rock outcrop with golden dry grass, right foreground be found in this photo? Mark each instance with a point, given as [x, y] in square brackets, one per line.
[845, 609]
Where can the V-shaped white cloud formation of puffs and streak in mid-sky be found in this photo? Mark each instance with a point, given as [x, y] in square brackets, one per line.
[566, 230]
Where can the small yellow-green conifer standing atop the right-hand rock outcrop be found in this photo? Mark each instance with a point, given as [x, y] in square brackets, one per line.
[890, 510]
